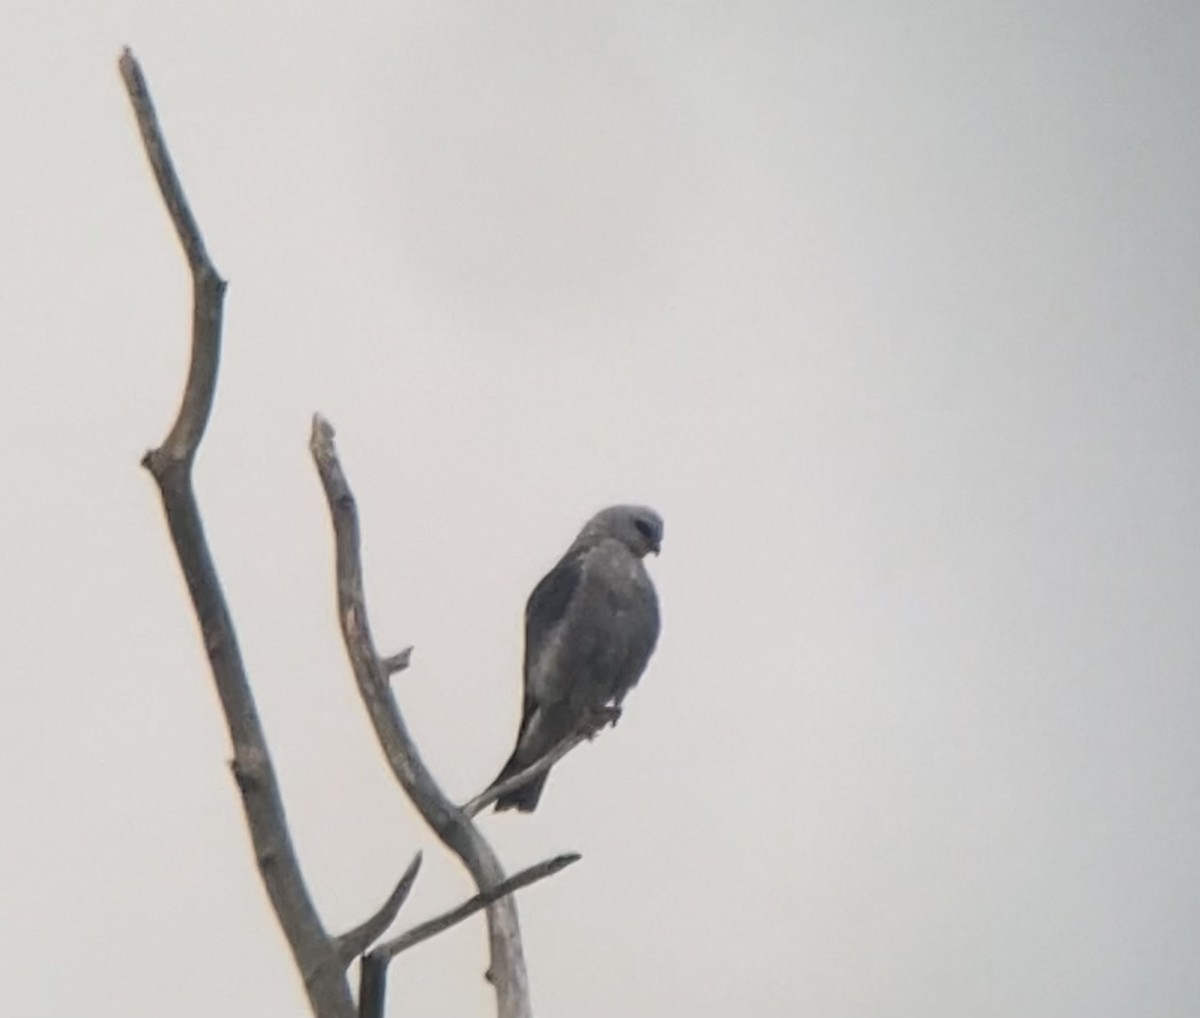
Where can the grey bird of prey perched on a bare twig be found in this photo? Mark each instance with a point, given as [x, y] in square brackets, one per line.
[591, 627]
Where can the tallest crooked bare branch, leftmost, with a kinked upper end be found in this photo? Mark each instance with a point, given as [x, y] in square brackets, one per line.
[172, 469]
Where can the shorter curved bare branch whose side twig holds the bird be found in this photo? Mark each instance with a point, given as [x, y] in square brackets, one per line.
[449, 823]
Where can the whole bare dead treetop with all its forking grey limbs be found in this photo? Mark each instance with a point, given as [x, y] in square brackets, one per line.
[321, 959]
